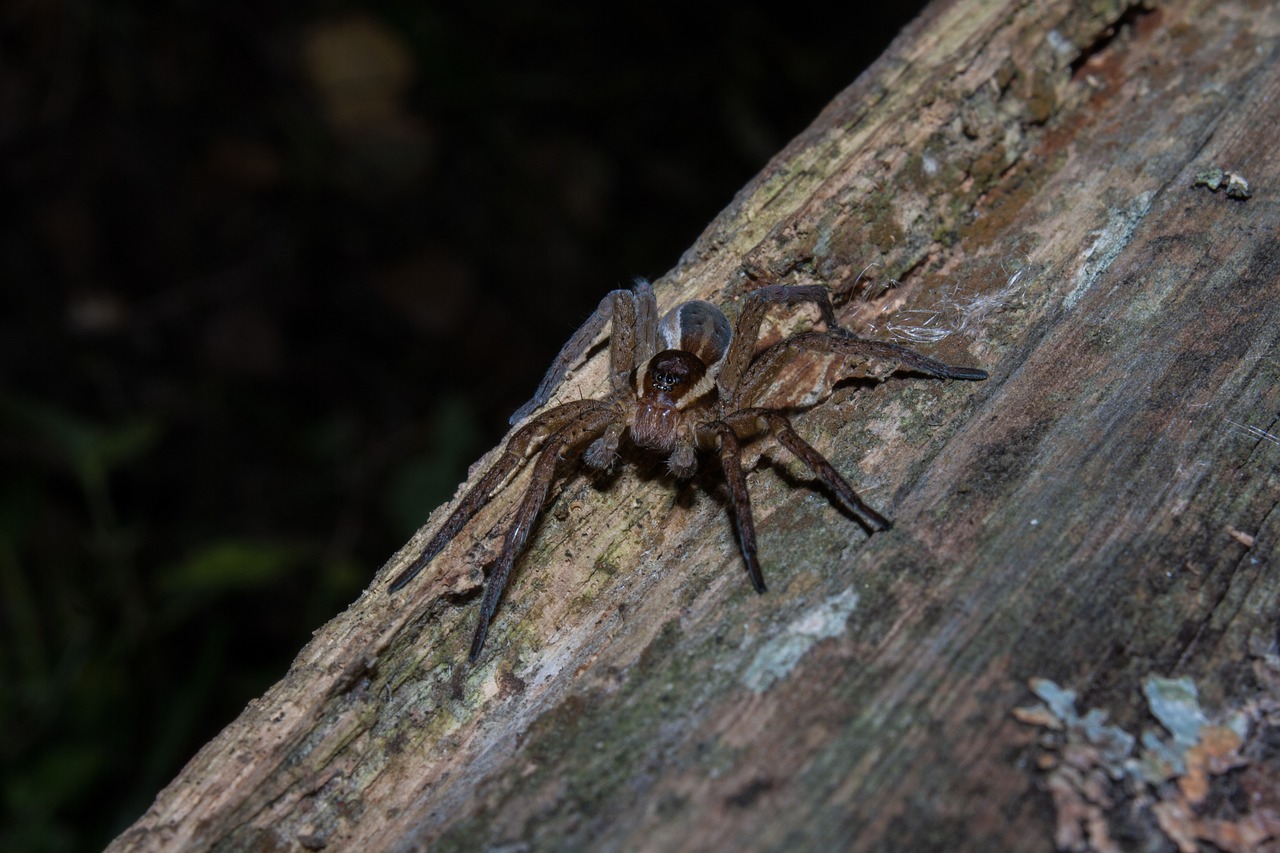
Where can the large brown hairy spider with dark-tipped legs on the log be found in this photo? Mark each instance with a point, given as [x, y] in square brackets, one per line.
[696, 394]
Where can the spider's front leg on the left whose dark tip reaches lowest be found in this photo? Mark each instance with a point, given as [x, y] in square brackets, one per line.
[588, 426]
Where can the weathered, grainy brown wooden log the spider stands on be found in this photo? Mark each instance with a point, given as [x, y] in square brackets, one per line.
[1101, 512]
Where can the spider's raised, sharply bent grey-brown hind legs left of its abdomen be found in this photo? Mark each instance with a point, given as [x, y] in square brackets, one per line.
[633, 317]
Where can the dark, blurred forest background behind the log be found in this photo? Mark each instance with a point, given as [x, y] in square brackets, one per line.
[272, 279]
